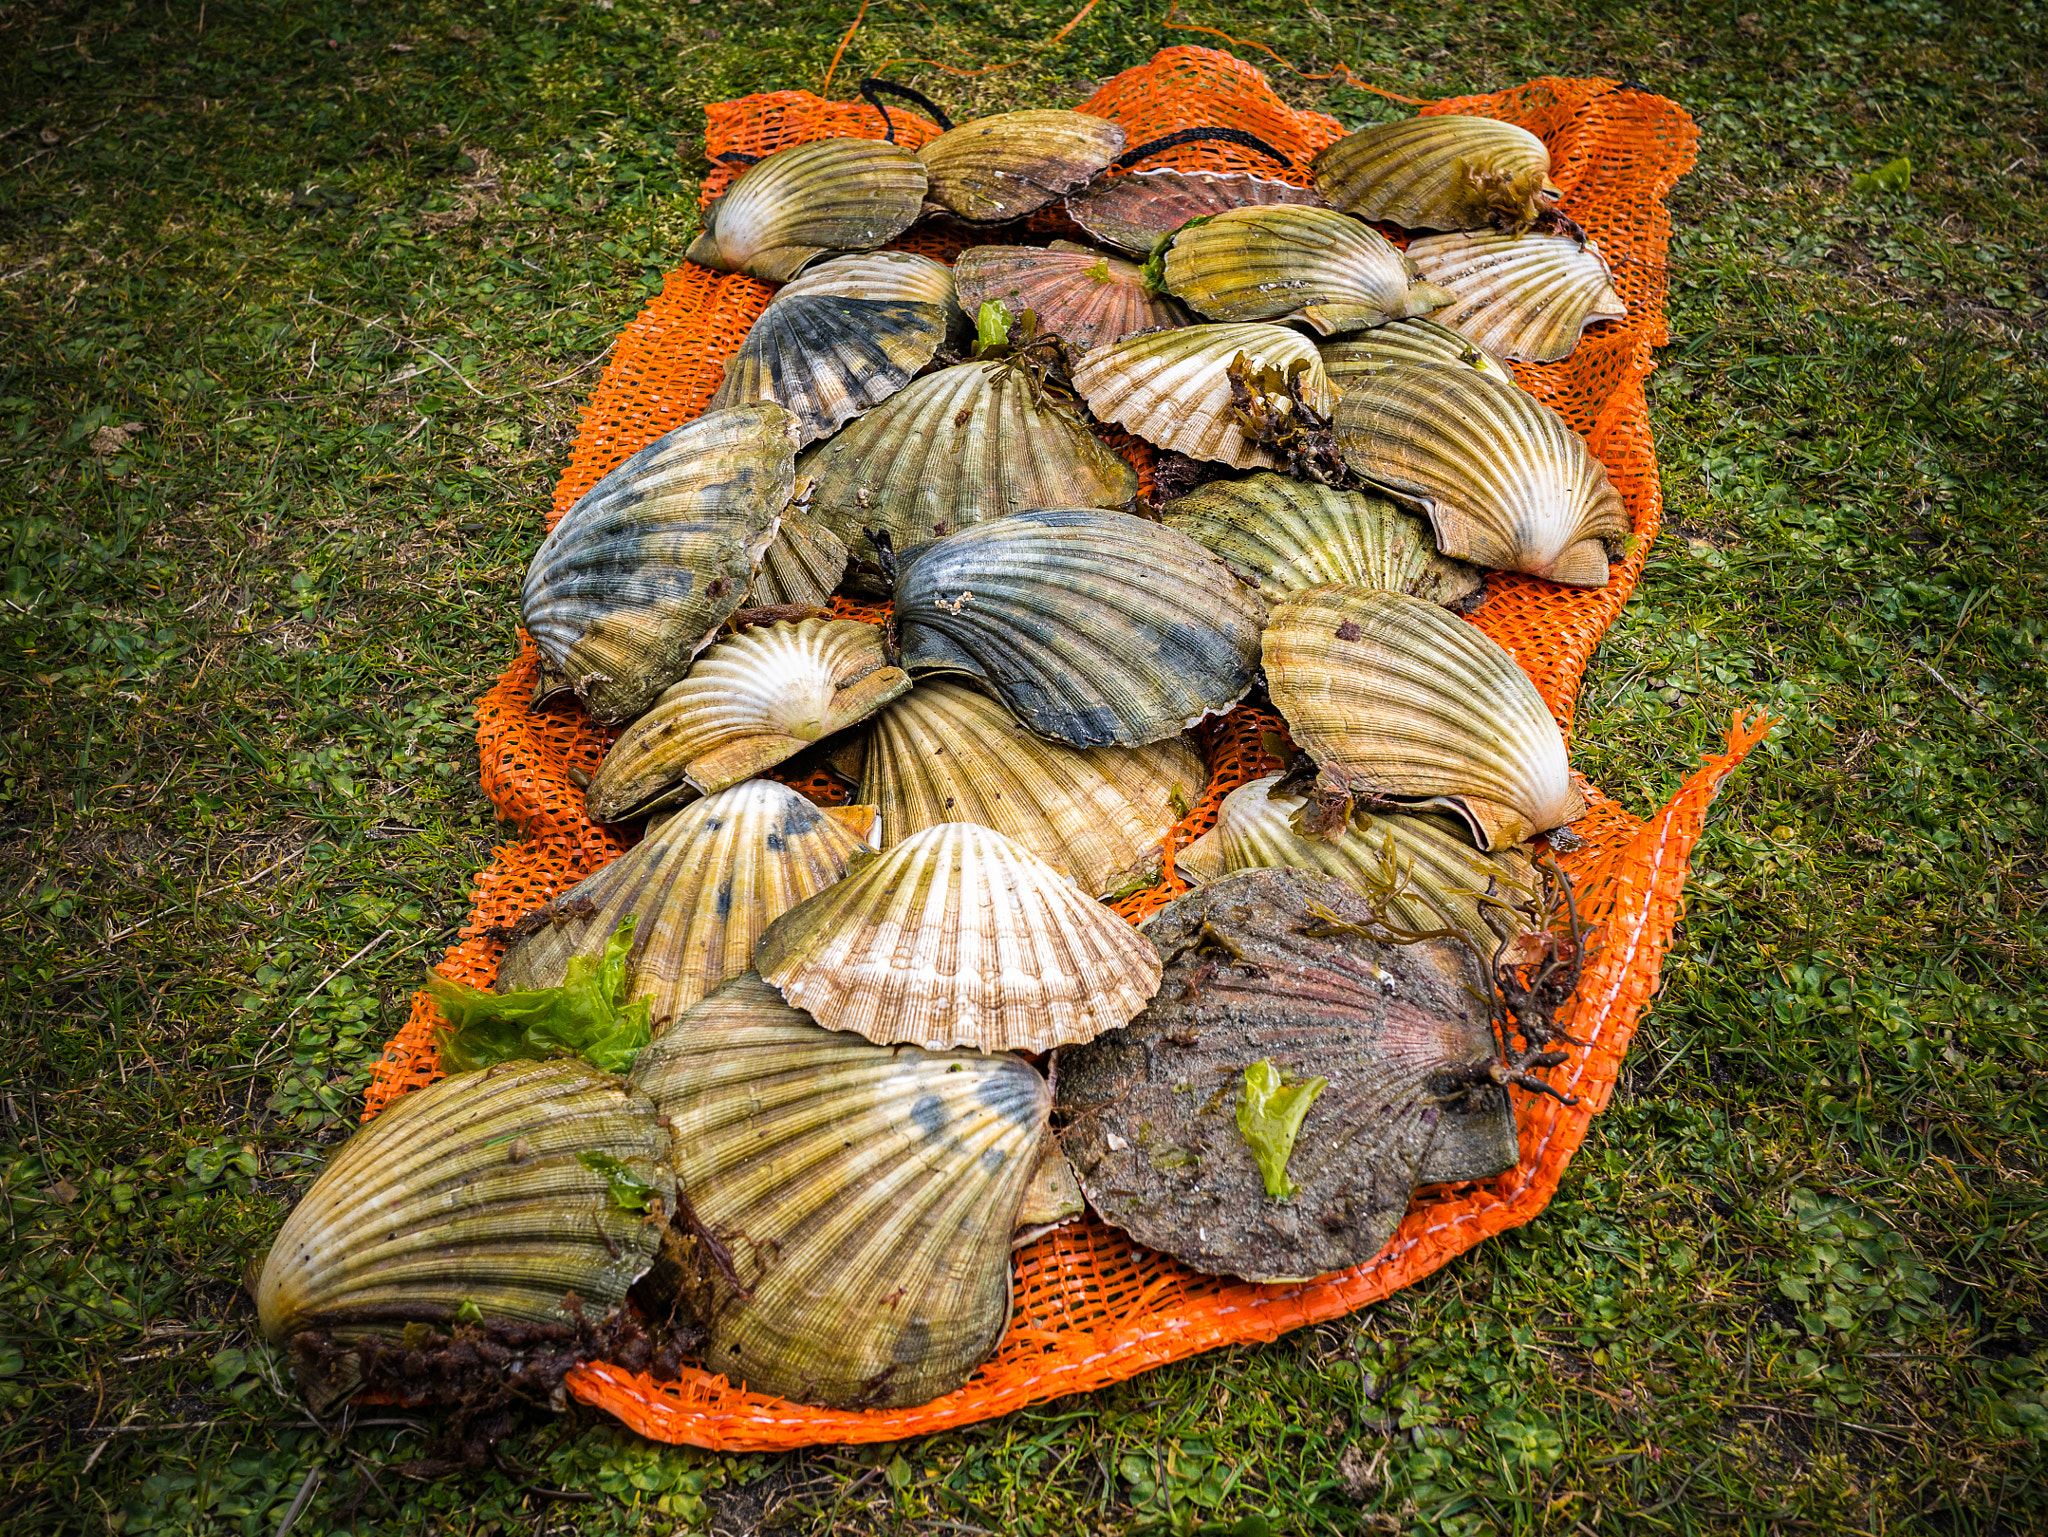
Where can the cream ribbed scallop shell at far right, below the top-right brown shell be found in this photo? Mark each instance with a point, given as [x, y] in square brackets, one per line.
[1523, 296]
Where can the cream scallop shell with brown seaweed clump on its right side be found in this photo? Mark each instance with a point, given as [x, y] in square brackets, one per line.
[1175, 388]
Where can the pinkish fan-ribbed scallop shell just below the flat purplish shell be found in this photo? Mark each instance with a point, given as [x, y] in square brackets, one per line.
[1080, 294]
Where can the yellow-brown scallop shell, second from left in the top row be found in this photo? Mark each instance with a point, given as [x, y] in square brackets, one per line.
[1017, 163]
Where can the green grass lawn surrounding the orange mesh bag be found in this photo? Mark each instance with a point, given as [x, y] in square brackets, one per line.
[300, 310]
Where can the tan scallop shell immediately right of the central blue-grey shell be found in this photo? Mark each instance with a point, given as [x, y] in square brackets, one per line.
[1398, 700]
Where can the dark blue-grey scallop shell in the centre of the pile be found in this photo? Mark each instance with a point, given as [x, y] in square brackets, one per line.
[1095, 628]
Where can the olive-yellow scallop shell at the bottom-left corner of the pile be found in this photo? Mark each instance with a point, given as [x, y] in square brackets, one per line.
[472, 1192]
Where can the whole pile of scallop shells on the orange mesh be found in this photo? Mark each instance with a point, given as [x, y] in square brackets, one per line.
[800, 1079]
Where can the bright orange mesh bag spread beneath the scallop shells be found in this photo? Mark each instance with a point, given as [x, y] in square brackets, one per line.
[1091, 1306]
